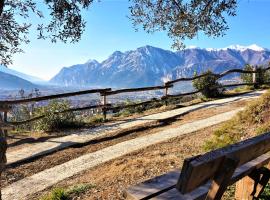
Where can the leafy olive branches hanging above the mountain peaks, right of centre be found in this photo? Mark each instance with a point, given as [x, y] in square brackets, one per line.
[183, 19]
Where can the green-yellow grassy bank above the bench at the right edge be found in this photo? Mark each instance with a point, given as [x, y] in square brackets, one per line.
[254, 120]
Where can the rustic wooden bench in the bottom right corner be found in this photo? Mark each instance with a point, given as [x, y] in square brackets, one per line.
[208, 176]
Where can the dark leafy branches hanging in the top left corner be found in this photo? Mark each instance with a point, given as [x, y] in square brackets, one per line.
[65, 23]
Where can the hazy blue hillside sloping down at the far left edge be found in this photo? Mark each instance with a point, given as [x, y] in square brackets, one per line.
[11, 82]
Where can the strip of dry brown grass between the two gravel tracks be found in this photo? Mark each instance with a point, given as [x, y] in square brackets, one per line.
[15, 173]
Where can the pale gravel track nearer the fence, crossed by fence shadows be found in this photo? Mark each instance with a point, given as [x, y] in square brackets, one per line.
[84, 136]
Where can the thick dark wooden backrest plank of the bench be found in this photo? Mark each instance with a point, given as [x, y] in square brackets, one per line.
[196, 172]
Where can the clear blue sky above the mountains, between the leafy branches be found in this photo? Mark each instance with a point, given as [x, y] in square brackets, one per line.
[109, 29]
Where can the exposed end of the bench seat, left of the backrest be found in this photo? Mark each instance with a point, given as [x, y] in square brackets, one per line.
[153, 186]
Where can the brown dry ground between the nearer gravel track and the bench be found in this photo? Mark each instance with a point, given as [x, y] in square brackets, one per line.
[112, 178]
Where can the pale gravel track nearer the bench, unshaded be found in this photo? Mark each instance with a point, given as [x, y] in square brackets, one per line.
[42, 180]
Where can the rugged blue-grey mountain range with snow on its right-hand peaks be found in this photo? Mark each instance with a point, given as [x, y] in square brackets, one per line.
[149, 65]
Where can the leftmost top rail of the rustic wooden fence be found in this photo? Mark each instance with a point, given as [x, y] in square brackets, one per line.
[55, 96]
